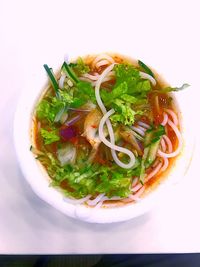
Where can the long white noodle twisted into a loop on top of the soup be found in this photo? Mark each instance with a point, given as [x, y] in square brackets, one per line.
[106, 120]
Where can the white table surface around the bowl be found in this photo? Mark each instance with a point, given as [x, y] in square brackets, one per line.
[31, 32]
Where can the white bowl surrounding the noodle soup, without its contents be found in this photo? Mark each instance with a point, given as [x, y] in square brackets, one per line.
[40, 184]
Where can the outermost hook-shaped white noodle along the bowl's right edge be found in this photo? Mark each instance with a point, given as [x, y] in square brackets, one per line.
[178, 134]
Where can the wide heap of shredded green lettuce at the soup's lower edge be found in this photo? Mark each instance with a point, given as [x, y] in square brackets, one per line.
[91, 179]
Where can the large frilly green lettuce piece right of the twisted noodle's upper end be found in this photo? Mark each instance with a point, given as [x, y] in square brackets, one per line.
[128, 91]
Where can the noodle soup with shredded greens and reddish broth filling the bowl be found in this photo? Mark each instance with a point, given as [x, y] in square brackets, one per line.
[106, 130]
